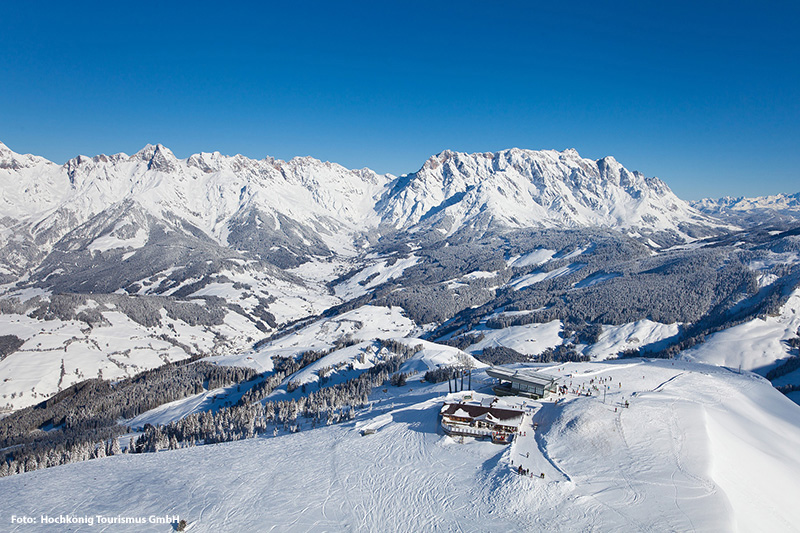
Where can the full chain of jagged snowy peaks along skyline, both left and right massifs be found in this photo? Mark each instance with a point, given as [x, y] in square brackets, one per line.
[307, 206]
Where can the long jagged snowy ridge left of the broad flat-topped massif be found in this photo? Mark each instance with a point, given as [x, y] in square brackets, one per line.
[208, 191]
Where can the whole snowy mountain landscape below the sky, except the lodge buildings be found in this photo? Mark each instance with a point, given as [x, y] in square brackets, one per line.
[269, 299]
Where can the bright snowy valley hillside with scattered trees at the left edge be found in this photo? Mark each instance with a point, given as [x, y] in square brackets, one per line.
[56, 353]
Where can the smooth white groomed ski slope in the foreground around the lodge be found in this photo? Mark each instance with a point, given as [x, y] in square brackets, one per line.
[700, 448]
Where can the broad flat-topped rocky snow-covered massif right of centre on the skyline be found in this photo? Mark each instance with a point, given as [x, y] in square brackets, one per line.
[523, 188]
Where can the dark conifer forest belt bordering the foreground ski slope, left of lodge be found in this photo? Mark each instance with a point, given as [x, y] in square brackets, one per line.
[80, 423]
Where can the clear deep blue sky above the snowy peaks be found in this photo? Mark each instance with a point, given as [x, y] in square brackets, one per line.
[705, 95]
